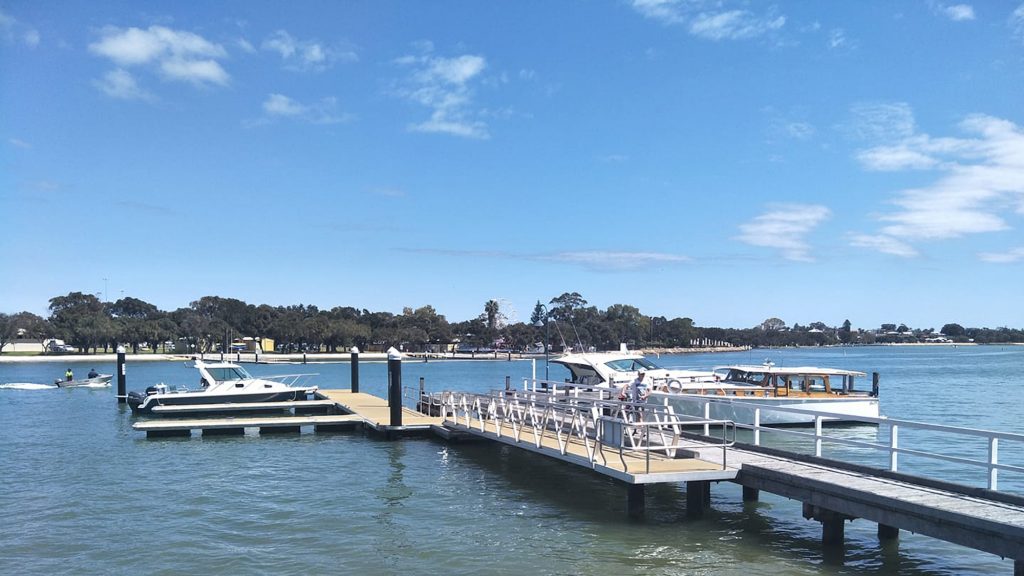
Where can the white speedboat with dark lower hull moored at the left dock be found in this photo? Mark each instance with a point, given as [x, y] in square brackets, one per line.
[223, 383]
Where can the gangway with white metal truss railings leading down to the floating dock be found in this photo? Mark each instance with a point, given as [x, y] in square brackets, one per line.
[632, 432]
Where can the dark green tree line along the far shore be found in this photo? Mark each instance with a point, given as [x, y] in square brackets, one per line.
[211, 323]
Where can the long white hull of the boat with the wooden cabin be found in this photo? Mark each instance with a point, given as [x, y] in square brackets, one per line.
[742, 409]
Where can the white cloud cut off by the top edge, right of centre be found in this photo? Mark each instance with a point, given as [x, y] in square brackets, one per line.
[710, 20]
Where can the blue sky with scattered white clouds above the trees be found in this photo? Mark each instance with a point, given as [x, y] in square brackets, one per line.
[724, 161]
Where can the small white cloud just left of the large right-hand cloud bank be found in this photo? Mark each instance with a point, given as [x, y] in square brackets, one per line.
[785, 228]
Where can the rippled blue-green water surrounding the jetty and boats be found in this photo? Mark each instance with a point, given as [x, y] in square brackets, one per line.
[84, 493]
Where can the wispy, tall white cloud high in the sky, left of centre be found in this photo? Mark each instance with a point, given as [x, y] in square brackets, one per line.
[445, 87]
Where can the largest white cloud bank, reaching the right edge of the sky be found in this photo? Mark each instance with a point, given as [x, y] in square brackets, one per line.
[978, 179]
